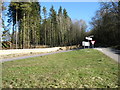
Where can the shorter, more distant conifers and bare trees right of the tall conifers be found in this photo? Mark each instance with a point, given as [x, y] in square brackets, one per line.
[59, 30]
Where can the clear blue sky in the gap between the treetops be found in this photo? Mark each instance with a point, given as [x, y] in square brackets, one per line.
[76, 10]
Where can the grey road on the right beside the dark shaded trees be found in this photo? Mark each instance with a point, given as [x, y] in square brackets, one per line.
[114, 54]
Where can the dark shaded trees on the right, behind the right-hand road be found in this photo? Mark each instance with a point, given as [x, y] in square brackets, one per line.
[105, 24]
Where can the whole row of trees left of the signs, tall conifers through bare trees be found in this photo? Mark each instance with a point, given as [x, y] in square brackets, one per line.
[33, 26]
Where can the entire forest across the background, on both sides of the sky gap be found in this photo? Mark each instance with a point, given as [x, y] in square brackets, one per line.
[33, 26]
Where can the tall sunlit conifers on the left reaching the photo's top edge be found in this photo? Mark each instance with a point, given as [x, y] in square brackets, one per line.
[25, 20]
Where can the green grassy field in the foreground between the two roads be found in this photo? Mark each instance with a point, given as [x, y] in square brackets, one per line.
[85, 68]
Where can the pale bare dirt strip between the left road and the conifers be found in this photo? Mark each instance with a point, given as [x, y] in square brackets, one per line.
[7, 54]
